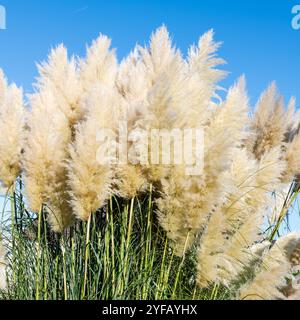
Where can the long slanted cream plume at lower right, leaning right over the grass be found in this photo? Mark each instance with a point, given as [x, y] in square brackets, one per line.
[254, 194]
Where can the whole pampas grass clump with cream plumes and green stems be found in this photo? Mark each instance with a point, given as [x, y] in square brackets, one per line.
[94, 217]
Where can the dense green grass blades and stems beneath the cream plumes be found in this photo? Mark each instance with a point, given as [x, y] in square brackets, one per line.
[127, 256]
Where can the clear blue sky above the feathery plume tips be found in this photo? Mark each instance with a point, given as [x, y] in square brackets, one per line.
[258, 37]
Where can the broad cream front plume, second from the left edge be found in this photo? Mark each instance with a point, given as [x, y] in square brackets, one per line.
[45, 154]
